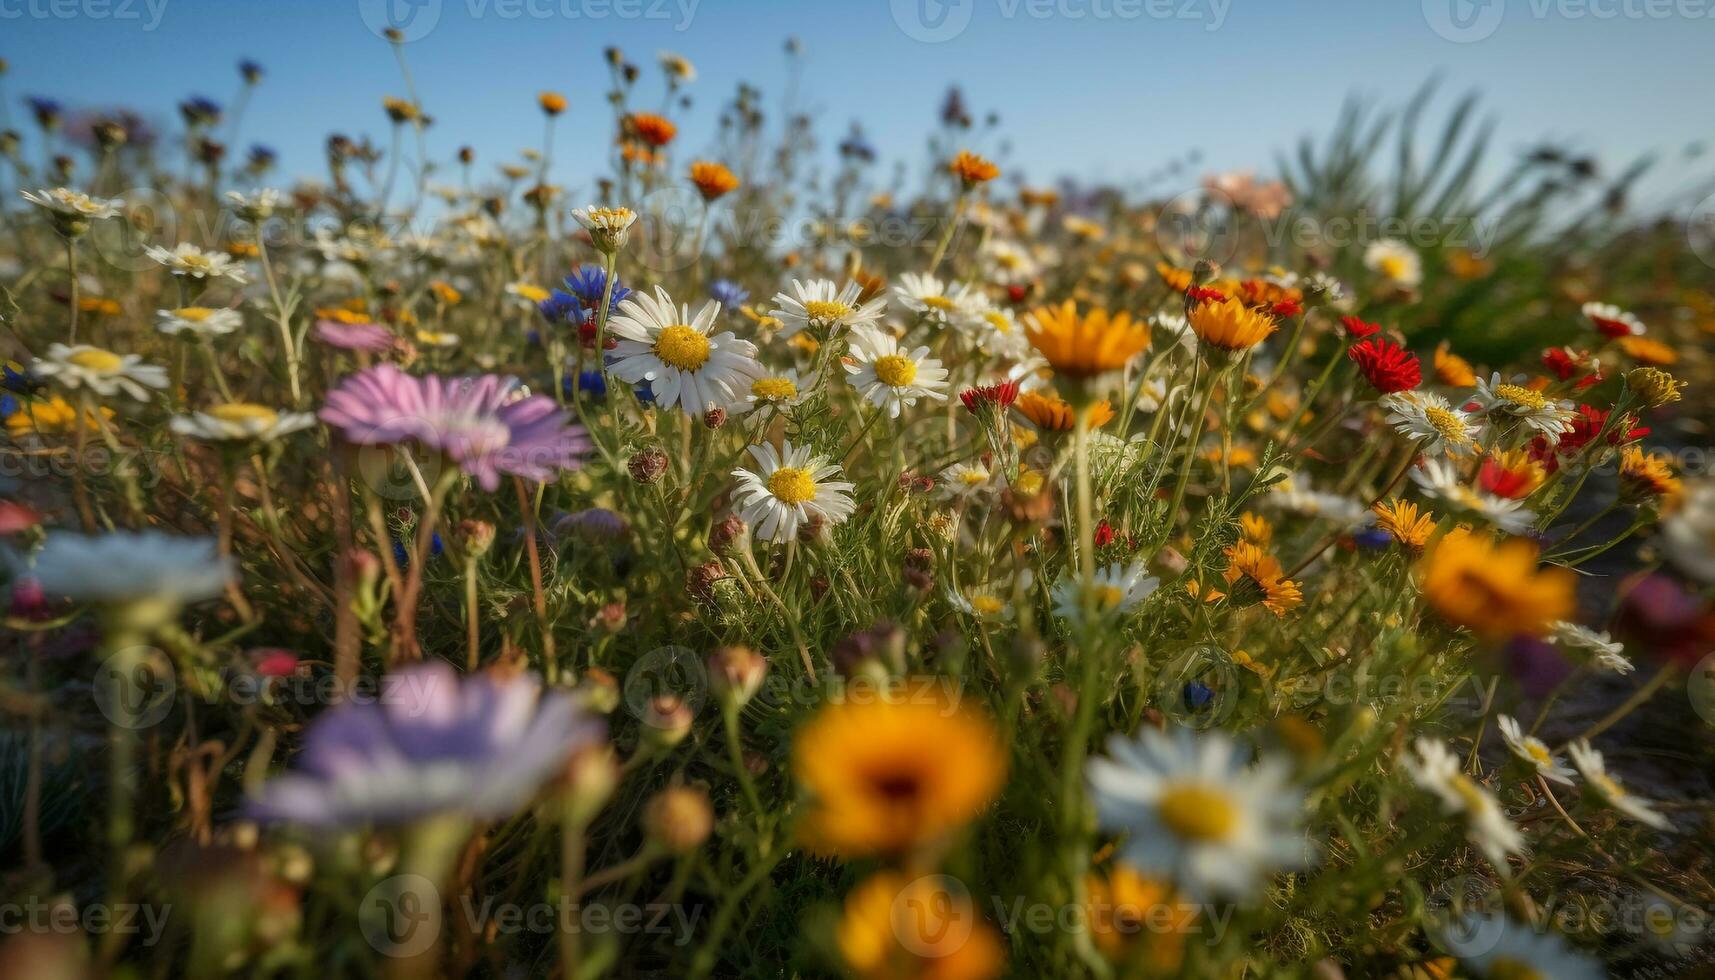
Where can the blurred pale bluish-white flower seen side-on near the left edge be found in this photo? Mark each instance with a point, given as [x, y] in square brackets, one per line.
[133, 567]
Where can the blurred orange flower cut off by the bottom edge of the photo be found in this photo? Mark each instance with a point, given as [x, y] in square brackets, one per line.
[901, 928]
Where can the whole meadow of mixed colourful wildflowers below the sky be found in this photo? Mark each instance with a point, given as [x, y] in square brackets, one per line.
[766, 559]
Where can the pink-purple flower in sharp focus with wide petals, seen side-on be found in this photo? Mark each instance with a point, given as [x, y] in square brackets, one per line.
[484, 425]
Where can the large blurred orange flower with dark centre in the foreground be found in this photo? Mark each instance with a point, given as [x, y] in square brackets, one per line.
[876, 785]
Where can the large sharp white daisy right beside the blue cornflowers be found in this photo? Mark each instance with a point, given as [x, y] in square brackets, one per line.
[675, 353]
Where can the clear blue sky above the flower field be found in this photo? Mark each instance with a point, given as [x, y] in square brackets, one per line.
[1090, 88]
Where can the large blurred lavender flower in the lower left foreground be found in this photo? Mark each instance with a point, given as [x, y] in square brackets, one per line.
[433, 744]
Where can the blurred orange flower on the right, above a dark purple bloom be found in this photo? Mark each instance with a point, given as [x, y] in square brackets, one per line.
[1495, 590]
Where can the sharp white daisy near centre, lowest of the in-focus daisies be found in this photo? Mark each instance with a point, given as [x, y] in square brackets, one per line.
[790, 488]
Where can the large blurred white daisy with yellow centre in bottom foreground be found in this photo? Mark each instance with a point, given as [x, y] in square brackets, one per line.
[1198, 813]
